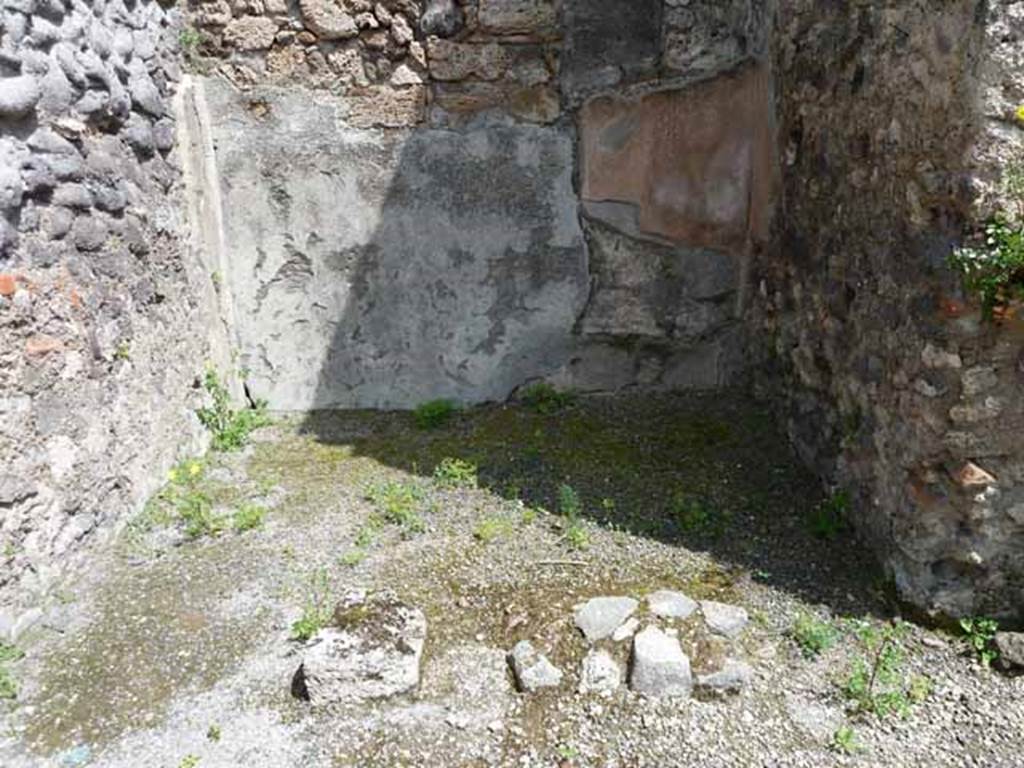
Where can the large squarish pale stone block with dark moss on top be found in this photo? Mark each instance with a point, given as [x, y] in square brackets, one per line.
[372, 652]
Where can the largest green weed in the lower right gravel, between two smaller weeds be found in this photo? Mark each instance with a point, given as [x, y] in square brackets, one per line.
[878, 684]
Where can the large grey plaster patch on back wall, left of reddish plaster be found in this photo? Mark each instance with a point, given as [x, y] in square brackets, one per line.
[388, 268]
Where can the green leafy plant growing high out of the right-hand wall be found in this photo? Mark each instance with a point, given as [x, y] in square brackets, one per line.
[994, 270]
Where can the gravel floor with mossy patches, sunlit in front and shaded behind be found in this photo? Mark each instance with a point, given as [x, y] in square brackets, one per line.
[176, 653]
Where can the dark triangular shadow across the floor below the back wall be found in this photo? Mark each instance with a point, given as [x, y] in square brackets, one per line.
[706, 472]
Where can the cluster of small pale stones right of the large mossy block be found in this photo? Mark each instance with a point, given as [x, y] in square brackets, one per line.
[658, 665]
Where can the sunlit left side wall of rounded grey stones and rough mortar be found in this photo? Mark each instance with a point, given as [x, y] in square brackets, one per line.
[103, 320]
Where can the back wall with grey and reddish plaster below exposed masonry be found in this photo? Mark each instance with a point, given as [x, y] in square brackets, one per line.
[429, 200]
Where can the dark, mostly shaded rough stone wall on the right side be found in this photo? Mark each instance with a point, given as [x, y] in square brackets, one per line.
[895, 123]
